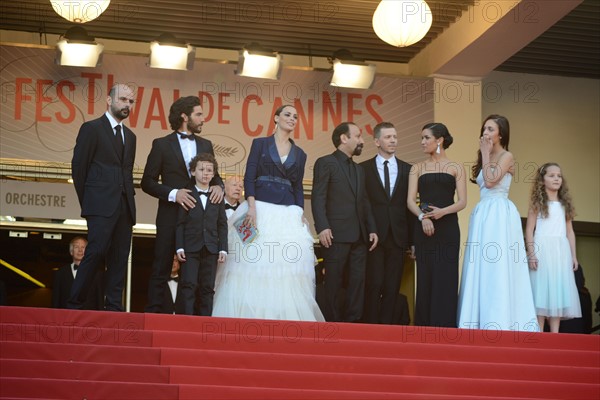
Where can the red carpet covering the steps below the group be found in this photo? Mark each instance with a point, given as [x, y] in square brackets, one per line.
[63, 354]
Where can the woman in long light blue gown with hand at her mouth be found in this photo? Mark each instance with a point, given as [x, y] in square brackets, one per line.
[495, 290]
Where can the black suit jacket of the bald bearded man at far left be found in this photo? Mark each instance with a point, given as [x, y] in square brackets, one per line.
[99, 174]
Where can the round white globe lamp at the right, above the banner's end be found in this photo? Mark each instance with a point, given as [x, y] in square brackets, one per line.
[402, 23]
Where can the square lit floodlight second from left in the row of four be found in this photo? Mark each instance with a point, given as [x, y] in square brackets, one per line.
[168, 52]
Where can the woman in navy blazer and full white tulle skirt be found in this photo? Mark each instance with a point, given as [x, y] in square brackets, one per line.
[273, 277]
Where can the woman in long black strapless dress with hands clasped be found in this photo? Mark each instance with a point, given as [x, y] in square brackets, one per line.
[442, 192]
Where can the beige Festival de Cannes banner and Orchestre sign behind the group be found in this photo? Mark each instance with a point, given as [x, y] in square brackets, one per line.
[43, 105]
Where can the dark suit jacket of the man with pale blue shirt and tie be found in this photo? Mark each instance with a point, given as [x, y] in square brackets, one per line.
[390, 212]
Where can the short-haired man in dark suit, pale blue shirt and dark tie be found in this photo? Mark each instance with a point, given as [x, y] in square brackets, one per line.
[387, 184]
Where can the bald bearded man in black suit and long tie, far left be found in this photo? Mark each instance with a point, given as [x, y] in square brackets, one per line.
[102, 171]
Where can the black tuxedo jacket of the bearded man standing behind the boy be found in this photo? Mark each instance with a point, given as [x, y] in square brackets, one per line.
[166, 170]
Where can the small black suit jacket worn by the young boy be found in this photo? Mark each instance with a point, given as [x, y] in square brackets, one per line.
[200, 227]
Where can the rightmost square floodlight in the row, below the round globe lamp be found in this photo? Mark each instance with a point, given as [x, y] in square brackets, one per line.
[351, 73]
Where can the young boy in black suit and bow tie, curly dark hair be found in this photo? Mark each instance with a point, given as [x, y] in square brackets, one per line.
[201, 240]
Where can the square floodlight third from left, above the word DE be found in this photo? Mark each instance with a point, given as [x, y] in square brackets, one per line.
[258, 62]
